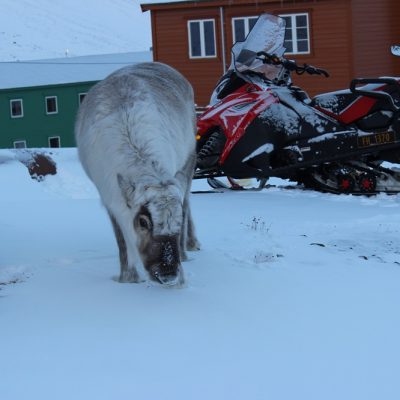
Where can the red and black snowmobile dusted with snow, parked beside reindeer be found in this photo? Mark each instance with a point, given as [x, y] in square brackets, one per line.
[260, 125]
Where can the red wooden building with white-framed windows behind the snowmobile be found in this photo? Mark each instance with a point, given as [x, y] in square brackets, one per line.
[349, 38]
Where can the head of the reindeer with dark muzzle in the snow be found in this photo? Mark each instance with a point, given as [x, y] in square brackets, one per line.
[157, 215]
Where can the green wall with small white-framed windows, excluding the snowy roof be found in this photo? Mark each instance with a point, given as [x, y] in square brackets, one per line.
[41, 116]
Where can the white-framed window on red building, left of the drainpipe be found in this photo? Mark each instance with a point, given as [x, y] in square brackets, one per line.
[202, 38]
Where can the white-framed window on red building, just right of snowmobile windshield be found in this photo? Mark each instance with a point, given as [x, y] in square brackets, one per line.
[297, 35]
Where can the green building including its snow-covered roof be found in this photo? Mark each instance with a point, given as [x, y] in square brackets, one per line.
[39, 99]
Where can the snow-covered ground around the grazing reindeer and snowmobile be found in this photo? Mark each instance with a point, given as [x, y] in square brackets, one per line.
[294, 295]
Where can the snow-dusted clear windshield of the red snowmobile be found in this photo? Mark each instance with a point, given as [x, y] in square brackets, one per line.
[268, 34]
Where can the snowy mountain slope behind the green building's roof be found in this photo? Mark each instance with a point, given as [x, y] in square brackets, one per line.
[37, 29]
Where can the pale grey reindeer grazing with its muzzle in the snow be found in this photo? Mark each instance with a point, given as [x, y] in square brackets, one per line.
[135, 133]
